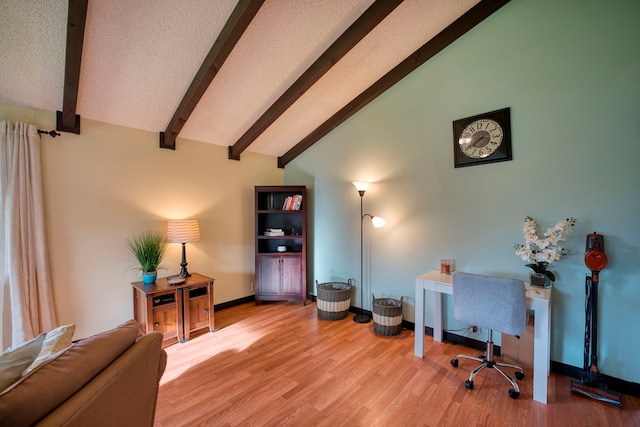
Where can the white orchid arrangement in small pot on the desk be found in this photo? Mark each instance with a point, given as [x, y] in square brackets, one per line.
[540, 253]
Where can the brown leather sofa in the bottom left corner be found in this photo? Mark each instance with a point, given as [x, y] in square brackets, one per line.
[108, 379]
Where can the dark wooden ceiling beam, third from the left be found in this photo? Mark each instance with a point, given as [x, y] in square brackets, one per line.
[375, 14]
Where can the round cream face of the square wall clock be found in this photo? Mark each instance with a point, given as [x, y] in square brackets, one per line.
[481, 138]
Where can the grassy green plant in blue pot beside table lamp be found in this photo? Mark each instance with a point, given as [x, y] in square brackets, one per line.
[148, 248]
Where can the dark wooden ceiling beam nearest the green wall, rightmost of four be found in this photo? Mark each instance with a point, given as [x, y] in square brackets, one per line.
[458, 28]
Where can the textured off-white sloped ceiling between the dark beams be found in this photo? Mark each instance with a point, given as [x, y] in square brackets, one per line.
[139, 58]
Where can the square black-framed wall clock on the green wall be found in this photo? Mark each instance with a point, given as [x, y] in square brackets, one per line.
[484, 138]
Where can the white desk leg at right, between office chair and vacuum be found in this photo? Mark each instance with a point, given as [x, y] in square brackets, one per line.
[541, 353]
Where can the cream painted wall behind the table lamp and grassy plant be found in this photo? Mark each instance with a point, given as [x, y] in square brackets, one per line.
[110, 182]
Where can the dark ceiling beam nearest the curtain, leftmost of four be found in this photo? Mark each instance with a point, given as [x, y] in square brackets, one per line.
[67, 120]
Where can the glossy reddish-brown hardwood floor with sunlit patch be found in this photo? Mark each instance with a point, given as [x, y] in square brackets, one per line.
[278, 364]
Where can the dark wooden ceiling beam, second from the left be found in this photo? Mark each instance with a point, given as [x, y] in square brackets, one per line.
[236, 25]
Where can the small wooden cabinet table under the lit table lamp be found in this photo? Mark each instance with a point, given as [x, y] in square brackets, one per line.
[175, 310]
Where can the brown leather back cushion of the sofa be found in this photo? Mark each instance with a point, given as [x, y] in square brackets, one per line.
[38, 393]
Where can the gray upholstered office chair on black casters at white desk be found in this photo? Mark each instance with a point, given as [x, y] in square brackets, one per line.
[497, 304]
